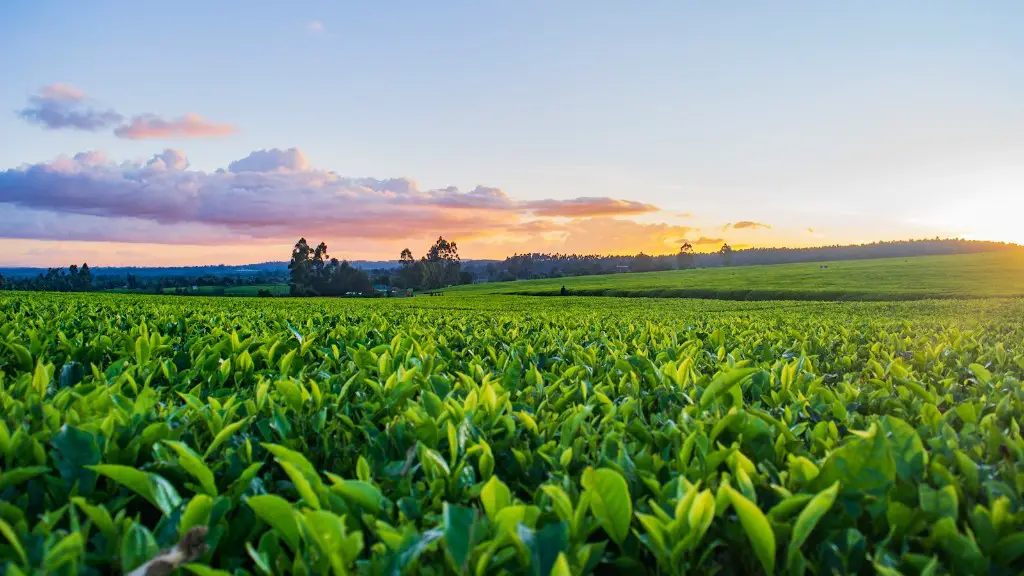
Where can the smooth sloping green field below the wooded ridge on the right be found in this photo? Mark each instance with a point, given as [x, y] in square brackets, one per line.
[997, 274]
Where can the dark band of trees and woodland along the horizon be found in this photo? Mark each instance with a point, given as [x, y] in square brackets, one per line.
[441, 267]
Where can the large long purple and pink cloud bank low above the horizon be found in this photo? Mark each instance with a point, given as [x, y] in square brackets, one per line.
[269, 196]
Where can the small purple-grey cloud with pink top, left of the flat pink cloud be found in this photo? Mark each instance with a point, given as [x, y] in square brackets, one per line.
[63, 106]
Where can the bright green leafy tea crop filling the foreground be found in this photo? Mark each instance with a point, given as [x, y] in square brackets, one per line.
[487, 435]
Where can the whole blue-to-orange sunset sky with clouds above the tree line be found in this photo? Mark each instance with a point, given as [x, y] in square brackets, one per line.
[154, 134]
